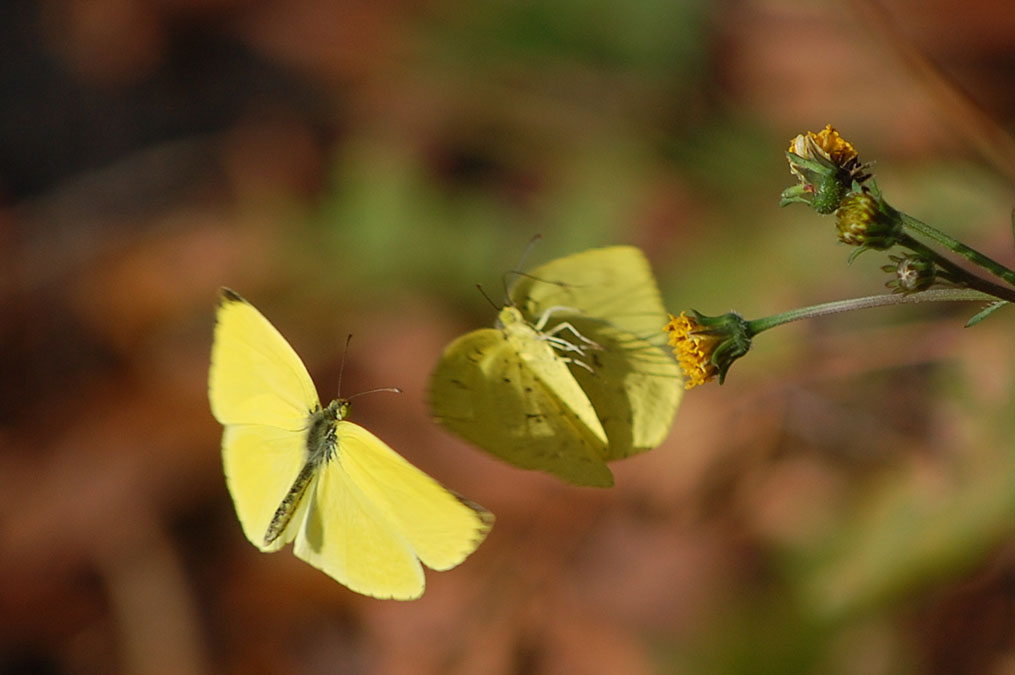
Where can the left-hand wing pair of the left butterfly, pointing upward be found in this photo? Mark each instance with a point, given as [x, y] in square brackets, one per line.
[261, 392]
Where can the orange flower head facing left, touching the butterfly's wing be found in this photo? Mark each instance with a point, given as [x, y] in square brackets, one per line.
[707, 347]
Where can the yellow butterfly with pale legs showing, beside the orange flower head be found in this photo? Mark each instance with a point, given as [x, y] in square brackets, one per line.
[575, 375]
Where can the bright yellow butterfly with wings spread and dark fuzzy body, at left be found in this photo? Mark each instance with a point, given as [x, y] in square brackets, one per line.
[298, 472]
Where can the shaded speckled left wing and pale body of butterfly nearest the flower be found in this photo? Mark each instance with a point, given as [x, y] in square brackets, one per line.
[509, 393]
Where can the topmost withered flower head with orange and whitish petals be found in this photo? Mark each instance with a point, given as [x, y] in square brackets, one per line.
[828, 167]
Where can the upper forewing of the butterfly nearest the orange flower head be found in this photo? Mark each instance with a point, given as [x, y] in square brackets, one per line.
[615, 284]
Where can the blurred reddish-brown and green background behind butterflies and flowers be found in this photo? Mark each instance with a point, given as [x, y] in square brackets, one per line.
[845, 504]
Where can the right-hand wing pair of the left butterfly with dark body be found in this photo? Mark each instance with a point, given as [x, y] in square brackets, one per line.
[373, 516]
